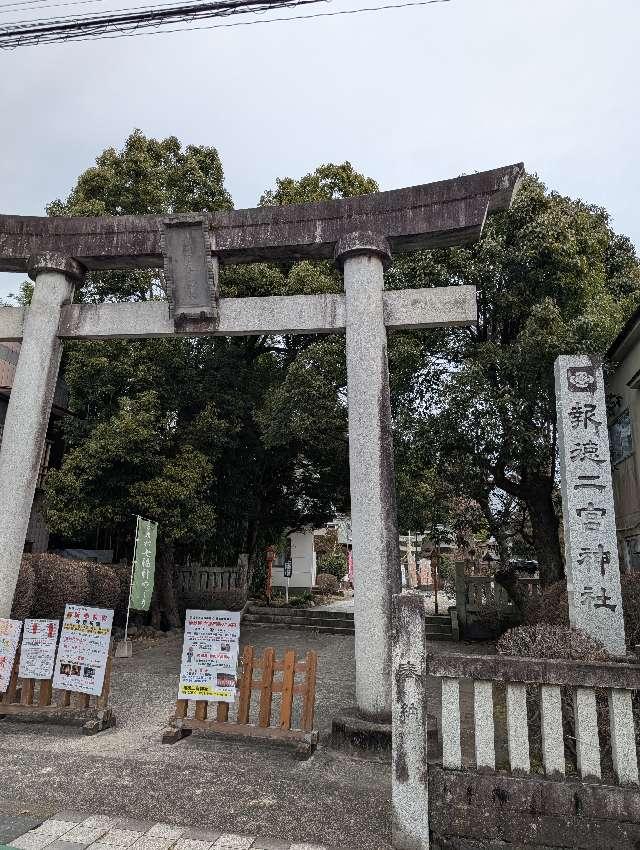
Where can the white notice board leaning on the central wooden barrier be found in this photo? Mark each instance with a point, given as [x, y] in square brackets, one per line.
[210, 656]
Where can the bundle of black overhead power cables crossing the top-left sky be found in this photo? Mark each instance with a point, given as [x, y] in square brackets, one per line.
[155, 21]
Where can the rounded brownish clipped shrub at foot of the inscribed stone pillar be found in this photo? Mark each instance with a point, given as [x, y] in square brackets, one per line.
[549, 641]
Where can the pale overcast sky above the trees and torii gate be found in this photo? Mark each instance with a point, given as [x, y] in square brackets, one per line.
[408, 96]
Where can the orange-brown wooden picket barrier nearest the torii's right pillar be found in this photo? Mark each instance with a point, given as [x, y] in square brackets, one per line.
[303, 738]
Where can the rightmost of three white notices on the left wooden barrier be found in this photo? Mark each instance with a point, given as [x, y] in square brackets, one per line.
[83, 650]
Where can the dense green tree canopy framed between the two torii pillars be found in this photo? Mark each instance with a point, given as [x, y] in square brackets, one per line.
[227, 442]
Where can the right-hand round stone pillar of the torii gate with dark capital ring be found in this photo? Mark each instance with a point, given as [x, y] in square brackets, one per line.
[376, 553]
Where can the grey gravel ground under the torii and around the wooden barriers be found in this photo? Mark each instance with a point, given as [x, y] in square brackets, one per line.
[330, 799]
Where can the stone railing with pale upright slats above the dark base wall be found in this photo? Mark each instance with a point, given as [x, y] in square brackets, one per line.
[544, 679]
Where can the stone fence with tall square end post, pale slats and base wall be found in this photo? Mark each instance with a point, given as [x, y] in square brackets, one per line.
[488, 705]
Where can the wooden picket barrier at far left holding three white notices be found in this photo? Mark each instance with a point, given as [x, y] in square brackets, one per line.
[35, 699]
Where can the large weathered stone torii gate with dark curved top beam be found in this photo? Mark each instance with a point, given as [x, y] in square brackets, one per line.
[360, 233]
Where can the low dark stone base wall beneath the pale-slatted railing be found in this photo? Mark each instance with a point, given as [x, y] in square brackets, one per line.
[471, 810]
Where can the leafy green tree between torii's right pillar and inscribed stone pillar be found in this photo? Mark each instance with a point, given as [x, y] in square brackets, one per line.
[552, 277]
